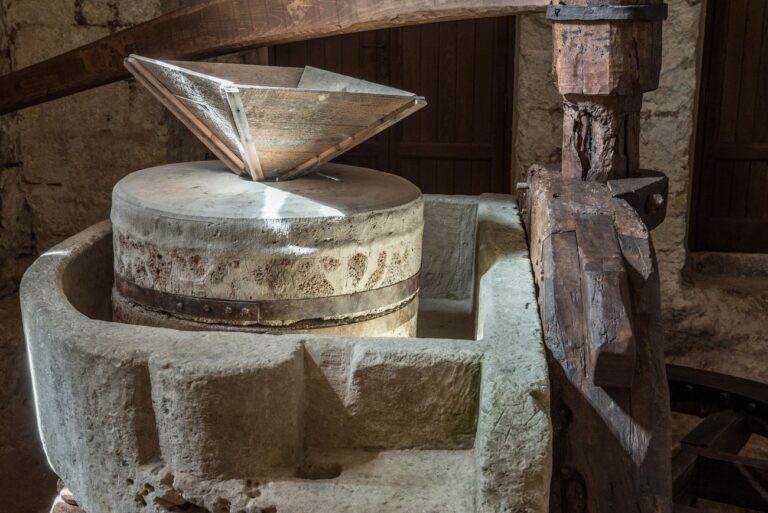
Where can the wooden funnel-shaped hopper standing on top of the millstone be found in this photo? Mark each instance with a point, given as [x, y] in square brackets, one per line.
[273, 122]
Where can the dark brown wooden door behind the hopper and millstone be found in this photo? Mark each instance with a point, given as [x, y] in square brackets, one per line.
[458, 143]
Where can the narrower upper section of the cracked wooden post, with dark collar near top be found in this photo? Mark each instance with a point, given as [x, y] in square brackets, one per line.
[602, 68]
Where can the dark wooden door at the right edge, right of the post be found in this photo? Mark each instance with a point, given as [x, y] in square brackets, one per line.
[730, 185]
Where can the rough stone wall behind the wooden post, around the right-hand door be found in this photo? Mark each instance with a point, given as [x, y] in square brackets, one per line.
[716, 322]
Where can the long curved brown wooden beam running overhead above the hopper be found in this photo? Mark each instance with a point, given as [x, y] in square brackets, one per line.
[219, 27]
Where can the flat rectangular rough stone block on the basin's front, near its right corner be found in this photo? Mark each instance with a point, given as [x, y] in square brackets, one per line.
[421, 395]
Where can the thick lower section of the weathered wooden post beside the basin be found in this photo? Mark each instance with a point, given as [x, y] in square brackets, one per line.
[611, 449]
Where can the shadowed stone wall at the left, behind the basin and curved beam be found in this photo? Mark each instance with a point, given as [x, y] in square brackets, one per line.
[58, 163]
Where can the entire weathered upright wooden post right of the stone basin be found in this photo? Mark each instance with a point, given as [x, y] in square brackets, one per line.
[595, 265]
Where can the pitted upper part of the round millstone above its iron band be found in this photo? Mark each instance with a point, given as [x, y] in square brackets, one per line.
[197, 229]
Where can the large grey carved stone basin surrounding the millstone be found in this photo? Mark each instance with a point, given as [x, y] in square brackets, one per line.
[146, 419]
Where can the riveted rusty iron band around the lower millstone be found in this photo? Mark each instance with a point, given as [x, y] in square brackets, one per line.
[252, 312]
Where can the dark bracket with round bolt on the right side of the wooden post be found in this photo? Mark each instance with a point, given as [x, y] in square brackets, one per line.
[646, 193]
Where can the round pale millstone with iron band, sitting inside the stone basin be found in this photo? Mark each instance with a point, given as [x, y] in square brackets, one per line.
[338, 251]
